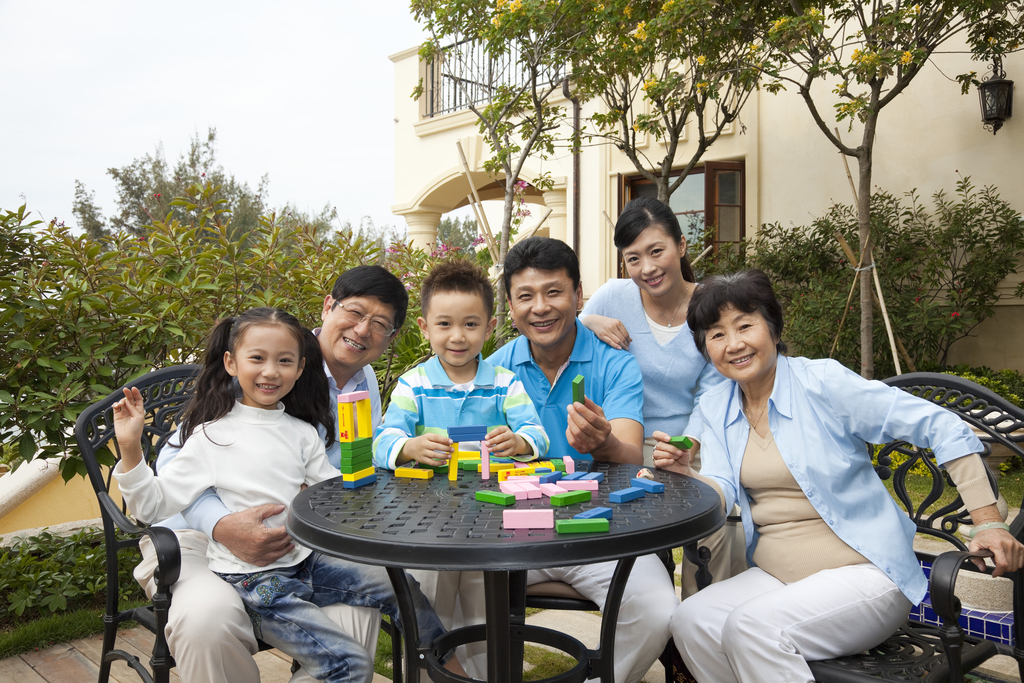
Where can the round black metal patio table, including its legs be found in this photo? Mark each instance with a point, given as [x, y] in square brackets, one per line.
[439, 525]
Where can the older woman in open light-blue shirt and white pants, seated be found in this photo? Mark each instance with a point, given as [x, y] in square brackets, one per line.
[786, 439]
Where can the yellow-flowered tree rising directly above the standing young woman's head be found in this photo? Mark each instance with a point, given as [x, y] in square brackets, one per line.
[658, 66]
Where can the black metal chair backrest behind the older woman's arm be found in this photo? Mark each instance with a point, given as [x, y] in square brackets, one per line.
[996, 421]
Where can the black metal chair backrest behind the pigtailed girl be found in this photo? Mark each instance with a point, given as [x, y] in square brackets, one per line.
[165, 393]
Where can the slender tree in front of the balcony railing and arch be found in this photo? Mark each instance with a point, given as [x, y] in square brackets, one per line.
[507, 60]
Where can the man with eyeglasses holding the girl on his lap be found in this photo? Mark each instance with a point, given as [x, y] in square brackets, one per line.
[209, 633]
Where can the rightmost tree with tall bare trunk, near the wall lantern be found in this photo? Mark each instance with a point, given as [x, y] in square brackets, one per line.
[870, 53]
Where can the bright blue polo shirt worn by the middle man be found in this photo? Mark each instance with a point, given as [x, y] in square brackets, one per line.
[613, 381]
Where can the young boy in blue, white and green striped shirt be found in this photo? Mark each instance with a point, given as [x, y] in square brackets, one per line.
[457, 388]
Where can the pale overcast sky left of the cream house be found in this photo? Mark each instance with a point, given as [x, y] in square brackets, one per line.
[303, 92]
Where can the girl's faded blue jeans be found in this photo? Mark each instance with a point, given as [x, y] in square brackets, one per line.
[285, 608]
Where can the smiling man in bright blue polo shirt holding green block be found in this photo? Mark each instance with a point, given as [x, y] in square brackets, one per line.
[542, 281]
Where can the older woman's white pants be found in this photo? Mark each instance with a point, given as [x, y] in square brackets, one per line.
[755, 628]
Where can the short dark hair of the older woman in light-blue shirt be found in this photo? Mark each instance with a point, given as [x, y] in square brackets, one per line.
[749, 291]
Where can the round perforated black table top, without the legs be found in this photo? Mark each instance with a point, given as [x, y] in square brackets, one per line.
[437, 524]
